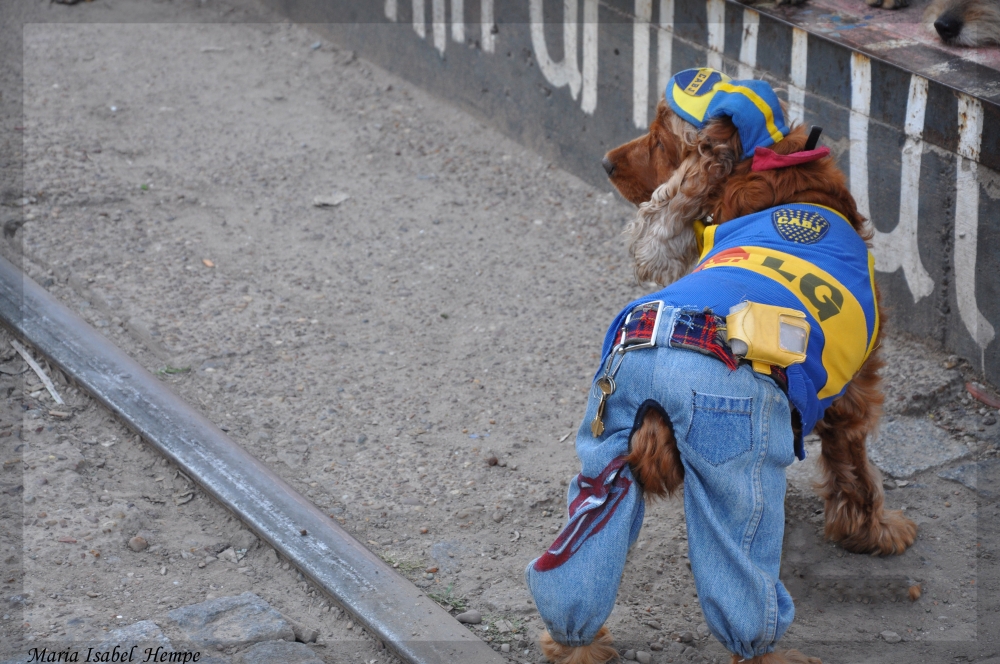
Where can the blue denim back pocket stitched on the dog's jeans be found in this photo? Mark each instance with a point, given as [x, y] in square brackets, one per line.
[721, 427]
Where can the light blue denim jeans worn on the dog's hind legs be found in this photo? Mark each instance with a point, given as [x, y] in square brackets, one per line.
[735, 439]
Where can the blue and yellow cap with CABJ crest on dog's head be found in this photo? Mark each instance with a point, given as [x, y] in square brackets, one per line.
[700, 95]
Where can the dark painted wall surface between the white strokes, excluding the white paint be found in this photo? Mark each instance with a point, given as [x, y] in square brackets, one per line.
[507, 89]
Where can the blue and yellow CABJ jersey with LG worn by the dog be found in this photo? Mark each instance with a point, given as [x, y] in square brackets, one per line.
[803, 256]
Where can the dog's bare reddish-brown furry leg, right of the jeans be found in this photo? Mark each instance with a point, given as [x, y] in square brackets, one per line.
[850, 485]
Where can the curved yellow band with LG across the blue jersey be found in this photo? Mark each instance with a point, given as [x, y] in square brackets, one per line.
[841, 317]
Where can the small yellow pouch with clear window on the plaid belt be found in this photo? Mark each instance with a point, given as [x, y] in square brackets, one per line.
[766, 335]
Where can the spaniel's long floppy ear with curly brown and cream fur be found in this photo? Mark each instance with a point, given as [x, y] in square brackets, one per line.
[661, 236]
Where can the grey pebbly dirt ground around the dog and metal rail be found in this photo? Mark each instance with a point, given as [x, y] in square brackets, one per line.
[375, 353]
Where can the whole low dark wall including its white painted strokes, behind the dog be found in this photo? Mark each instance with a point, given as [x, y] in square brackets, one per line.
[573, 78]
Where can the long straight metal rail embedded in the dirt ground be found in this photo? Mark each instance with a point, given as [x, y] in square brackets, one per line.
[409, 622]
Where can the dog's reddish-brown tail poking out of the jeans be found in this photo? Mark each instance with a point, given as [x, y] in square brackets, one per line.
[653, 455]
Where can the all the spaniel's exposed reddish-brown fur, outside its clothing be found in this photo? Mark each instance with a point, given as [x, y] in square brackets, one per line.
[677, 174]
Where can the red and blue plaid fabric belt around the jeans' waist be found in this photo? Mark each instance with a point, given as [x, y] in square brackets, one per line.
[702, 332]
